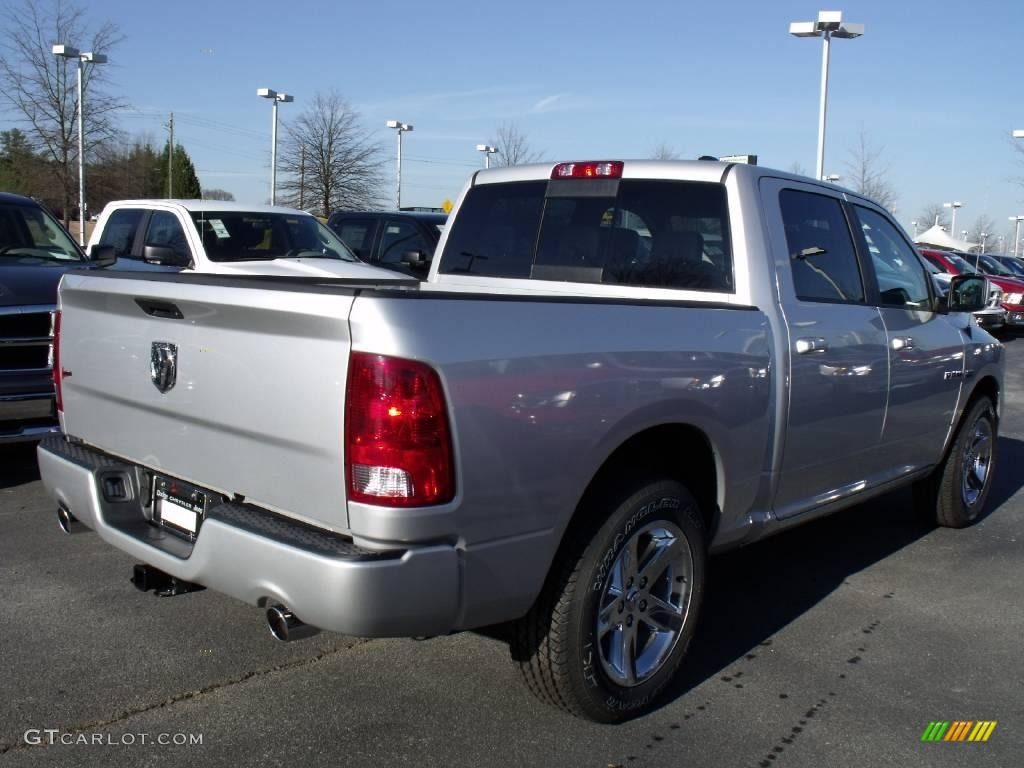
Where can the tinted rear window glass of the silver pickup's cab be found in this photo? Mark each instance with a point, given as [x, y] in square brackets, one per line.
[639, 233]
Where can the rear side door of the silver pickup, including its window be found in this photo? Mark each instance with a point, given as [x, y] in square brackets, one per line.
[839, 364]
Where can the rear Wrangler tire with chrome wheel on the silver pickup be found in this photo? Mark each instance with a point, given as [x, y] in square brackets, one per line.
[606, 637]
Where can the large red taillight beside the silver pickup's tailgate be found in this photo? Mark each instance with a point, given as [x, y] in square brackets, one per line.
[398, 447]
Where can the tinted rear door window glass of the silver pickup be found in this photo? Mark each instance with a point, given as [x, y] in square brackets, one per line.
[822, 253]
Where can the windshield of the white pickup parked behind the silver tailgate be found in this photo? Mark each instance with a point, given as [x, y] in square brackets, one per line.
[249, 236]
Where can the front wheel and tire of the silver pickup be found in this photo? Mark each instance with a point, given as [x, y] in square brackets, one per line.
[957, 493]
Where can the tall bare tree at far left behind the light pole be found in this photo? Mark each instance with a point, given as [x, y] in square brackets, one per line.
[42, 90]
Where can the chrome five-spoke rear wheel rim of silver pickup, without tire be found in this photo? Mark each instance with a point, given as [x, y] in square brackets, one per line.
[645, 604]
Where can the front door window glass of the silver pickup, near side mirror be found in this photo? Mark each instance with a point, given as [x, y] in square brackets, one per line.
[902, 279]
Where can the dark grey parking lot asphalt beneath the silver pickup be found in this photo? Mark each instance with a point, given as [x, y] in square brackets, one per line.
[835, 645]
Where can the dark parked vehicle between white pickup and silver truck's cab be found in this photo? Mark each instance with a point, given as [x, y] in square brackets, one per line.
[397, 240]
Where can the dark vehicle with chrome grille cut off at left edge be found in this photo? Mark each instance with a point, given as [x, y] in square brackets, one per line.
[35, 253]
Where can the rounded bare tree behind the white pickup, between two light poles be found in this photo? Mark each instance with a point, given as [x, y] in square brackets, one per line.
[329, 160]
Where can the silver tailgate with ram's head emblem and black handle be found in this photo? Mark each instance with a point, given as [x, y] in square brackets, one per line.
[258, 405]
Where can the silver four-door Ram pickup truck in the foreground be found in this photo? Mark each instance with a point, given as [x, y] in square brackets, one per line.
[613, 370]
